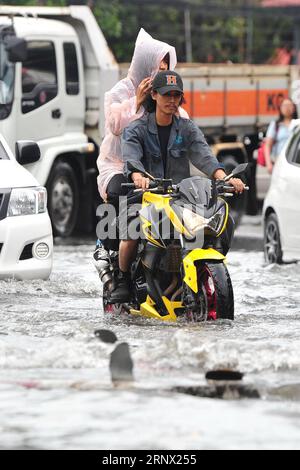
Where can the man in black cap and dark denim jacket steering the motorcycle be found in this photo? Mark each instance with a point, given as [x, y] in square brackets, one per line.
[163, 145]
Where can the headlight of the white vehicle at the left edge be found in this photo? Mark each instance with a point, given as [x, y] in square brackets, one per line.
[27, 201]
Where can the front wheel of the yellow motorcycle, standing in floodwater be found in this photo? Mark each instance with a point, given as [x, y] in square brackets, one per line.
[214, 280]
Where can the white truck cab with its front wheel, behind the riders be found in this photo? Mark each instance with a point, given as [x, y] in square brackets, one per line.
[55, 67]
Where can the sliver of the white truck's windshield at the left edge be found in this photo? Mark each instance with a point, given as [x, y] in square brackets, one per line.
[7, 79]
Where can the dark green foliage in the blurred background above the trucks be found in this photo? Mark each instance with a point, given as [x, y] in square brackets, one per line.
[220, 33]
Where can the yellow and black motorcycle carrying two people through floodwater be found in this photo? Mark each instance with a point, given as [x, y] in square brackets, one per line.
[180, 269]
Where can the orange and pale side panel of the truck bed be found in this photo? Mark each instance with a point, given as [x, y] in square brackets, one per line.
[235, 99]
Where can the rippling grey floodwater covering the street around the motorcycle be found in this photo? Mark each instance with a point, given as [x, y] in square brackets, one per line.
[55, 387]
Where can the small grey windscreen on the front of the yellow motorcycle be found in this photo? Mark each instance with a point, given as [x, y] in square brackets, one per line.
[199, 191]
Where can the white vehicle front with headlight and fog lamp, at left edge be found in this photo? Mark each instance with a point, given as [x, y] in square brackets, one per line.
[26, 242]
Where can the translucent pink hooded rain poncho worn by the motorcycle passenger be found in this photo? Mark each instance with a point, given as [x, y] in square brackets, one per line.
[120, 103]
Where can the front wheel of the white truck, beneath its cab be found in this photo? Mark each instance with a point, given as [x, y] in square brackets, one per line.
[63, 199]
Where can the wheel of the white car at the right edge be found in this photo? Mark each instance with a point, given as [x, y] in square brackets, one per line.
[272, 242]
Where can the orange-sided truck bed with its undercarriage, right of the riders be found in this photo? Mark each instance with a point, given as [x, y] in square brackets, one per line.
[233, 105]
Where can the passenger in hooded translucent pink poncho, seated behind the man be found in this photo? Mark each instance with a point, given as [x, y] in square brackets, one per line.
[124, 104]
